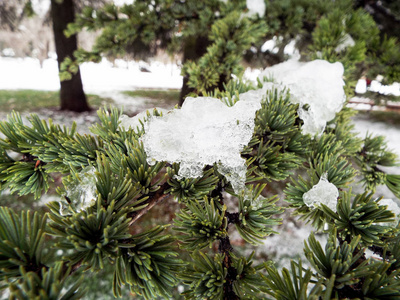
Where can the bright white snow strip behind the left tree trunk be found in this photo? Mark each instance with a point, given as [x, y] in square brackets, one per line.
[26, 73]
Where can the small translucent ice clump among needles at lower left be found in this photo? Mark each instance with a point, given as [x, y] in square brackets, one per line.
[82, 193]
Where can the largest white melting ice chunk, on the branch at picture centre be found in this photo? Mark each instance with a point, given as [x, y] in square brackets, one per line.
[203, 132]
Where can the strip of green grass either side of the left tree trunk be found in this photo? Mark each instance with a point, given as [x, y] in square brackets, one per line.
[31, 100]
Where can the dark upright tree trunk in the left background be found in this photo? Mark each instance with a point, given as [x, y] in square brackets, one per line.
[72, 96]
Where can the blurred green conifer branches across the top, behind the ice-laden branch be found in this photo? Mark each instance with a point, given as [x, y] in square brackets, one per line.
[194, 29]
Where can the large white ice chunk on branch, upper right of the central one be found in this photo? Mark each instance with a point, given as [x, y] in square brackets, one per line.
[317, 84]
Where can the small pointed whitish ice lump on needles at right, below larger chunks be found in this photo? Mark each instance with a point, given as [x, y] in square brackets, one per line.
[323, 192]
